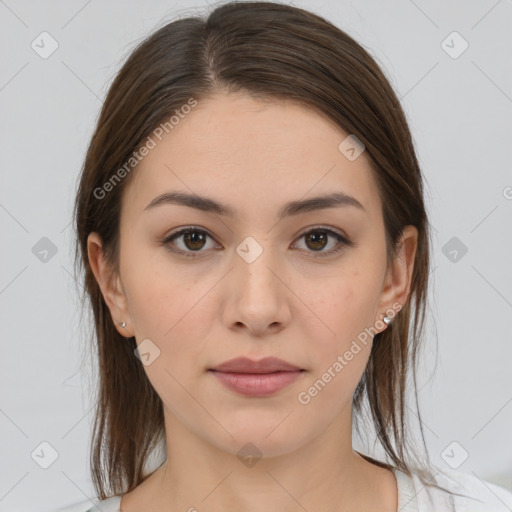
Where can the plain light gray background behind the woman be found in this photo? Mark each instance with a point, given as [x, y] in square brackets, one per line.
[460, 113]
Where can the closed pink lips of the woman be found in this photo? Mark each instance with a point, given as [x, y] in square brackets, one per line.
[256, 378]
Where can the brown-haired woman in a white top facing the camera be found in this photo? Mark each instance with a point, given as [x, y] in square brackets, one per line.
[255, 246]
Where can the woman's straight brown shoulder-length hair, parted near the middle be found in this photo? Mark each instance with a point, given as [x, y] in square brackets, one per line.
[272, 52]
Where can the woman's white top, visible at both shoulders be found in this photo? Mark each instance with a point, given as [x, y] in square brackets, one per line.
[413, 496]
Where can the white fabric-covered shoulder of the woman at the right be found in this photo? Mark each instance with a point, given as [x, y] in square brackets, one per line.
[466, 493]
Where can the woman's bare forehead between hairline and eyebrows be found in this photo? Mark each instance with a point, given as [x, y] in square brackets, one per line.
[246, 151]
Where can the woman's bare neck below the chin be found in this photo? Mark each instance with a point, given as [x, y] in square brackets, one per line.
[198, 475]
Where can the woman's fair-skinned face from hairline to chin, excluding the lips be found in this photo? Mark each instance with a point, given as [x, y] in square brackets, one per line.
[255, 283]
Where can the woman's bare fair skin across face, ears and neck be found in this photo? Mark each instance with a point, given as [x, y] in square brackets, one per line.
[290, 303]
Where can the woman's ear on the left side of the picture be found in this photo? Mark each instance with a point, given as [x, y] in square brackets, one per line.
[110, 285]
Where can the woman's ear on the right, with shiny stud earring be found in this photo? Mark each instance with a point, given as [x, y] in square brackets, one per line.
[397, 282]
